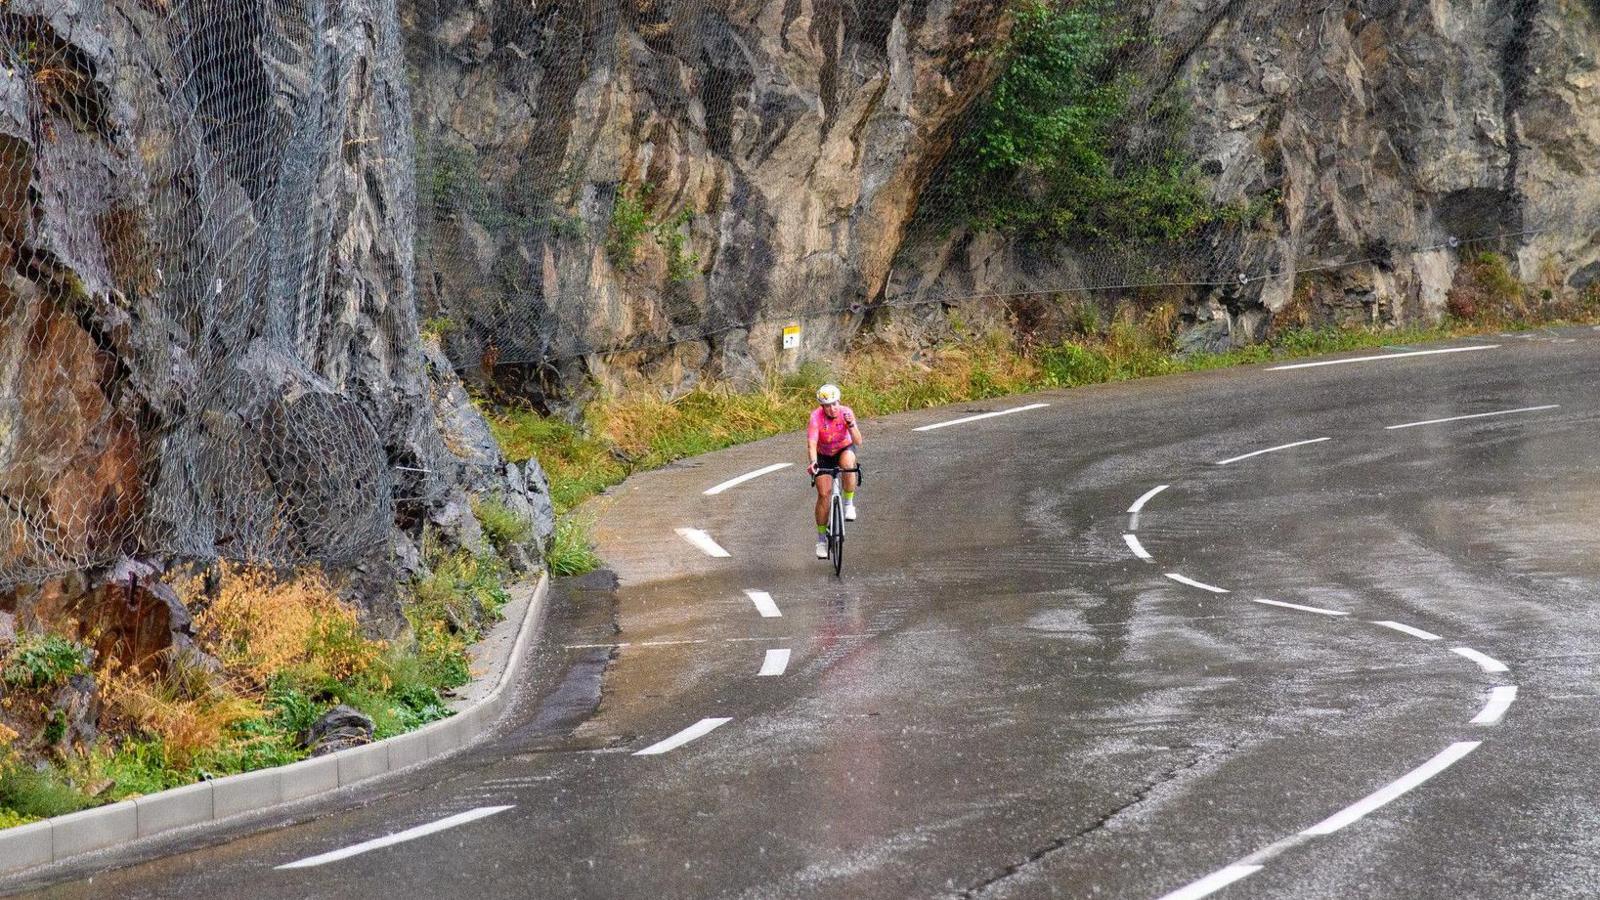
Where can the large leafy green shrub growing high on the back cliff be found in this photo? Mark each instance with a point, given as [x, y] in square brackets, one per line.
[1047, 150]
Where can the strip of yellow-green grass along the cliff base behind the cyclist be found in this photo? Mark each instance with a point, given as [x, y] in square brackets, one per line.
[620, 436]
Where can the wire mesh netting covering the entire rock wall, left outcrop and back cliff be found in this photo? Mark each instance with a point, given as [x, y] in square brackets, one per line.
[218, 219]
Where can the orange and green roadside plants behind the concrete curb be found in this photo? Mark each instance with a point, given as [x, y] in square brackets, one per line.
[274, 651]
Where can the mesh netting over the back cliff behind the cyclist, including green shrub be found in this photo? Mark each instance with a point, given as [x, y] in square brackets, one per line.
[657, 183]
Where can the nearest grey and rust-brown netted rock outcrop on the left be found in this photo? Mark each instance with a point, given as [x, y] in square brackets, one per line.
[209, 332]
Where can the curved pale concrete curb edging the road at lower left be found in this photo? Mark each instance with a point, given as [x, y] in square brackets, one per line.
[66, 837]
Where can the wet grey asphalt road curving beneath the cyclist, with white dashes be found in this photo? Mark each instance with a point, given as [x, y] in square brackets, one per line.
[999, 699]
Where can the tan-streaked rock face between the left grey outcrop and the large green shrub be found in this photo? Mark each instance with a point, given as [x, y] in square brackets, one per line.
[604, 174]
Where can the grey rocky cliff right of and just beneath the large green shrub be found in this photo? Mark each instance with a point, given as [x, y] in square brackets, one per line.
[1393, 139]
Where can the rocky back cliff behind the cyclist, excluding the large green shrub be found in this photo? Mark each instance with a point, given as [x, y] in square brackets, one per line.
[761, 163]
